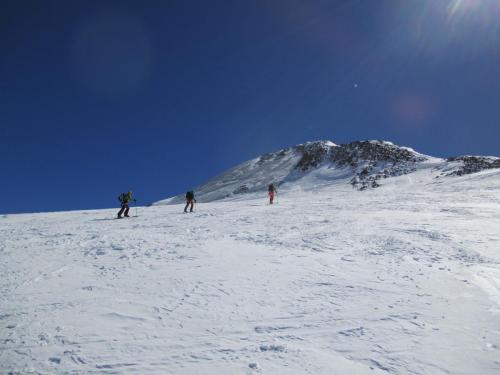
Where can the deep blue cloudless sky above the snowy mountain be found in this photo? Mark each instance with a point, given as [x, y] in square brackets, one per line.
[99, 97]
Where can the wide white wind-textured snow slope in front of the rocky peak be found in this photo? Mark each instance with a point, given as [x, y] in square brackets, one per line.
[403, 279]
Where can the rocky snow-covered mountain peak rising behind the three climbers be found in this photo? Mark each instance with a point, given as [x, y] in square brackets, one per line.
[362, 164]
